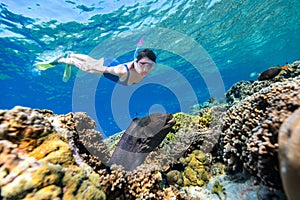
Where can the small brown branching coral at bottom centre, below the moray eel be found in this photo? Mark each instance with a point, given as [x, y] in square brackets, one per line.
[142, 183]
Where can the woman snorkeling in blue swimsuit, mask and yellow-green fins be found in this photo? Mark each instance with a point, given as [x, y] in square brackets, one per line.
[126, 73]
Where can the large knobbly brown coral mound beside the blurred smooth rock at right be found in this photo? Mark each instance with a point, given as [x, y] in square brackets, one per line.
[250, 130]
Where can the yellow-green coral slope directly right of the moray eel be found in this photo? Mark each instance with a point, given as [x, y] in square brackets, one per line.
[190, 132]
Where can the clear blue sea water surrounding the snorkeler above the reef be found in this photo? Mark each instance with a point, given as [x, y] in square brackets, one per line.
[203, 47]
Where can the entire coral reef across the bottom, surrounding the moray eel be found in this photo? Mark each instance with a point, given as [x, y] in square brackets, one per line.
[242, 147]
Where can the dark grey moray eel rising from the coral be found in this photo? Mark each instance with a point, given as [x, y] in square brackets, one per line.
[141, 137]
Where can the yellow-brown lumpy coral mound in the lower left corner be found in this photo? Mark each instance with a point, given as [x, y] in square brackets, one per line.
[37, 163]
